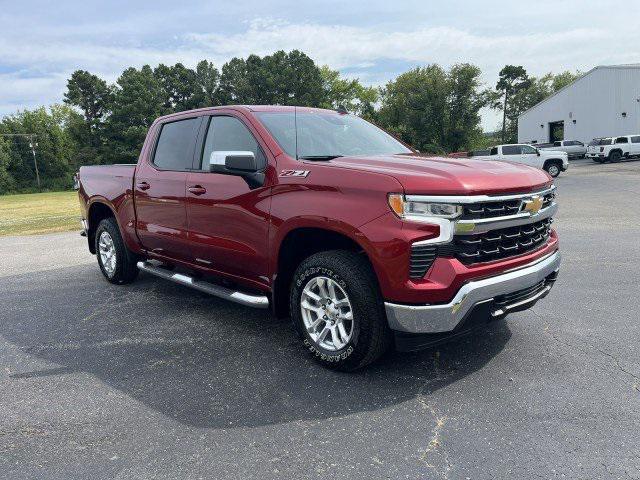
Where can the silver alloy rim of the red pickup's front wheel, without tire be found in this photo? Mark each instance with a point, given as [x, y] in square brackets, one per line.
[327, 313]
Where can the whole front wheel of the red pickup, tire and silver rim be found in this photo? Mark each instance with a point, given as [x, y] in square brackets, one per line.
[338, 311]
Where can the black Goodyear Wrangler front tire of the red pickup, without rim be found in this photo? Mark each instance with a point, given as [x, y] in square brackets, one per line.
[371, 336]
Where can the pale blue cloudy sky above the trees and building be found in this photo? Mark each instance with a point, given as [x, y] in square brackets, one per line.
[42, 42]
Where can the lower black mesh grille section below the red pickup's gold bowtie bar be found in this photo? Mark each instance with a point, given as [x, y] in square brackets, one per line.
[501, 243]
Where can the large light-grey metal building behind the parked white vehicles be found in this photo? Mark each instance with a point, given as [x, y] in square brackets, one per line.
[602, 103]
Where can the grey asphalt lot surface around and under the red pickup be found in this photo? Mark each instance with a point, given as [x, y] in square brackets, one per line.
[157, 381]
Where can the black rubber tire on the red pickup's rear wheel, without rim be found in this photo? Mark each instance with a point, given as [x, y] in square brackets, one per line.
[125, 270]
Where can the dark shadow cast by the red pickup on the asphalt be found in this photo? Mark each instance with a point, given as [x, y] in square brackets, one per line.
[205, 362]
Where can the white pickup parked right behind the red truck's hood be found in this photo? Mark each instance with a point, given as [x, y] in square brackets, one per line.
[552, 161]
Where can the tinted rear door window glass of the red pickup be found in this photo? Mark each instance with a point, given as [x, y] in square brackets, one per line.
[174, 150]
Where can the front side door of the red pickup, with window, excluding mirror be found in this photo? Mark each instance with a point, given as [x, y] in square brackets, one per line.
[228, 220]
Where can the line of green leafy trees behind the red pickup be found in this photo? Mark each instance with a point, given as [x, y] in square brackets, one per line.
[434, 109]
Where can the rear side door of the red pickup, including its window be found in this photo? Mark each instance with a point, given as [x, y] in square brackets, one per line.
[161, 214]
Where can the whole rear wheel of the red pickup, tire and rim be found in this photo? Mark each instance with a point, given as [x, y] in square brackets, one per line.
[117, 263]
